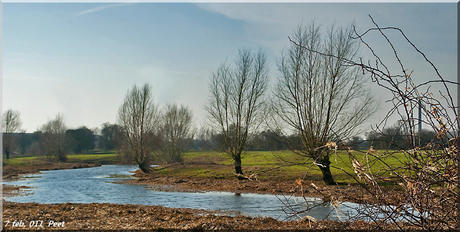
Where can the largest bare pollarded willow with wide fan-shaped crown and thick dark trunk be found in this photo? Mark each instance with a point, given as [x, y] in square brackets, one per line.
[319, 97]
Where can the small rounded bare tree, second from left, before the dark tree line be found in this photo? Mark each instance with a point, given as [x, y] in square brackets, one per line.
[54, 141]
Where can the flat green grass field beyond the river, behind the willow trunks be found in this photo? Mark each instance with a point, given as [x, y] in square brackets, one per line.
[278, 165]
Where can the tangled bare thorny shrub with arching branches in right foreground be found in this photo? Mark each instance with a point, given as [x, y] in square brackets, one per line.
[416, 186]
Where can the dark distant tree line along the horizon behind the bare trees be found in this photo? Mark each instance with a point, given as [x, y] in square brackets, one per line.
[82, 140]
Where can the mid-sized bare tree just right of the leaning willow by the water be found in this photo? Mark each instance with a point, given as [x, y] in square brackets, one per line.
[177, 124]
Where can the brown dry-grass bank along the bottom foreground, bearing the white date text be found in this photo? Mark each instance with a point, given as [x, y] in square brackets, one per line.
[70, 216]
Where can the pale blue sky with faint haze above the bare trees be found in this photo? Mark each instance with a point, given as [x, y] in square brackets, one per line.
[80, 59]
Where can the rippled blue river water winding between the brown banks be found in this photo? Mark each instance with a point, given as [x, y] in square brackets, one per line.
[95, 185]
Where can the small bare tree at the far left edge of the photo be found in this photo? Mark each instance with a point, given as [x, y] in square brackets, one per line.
[11, 124]
